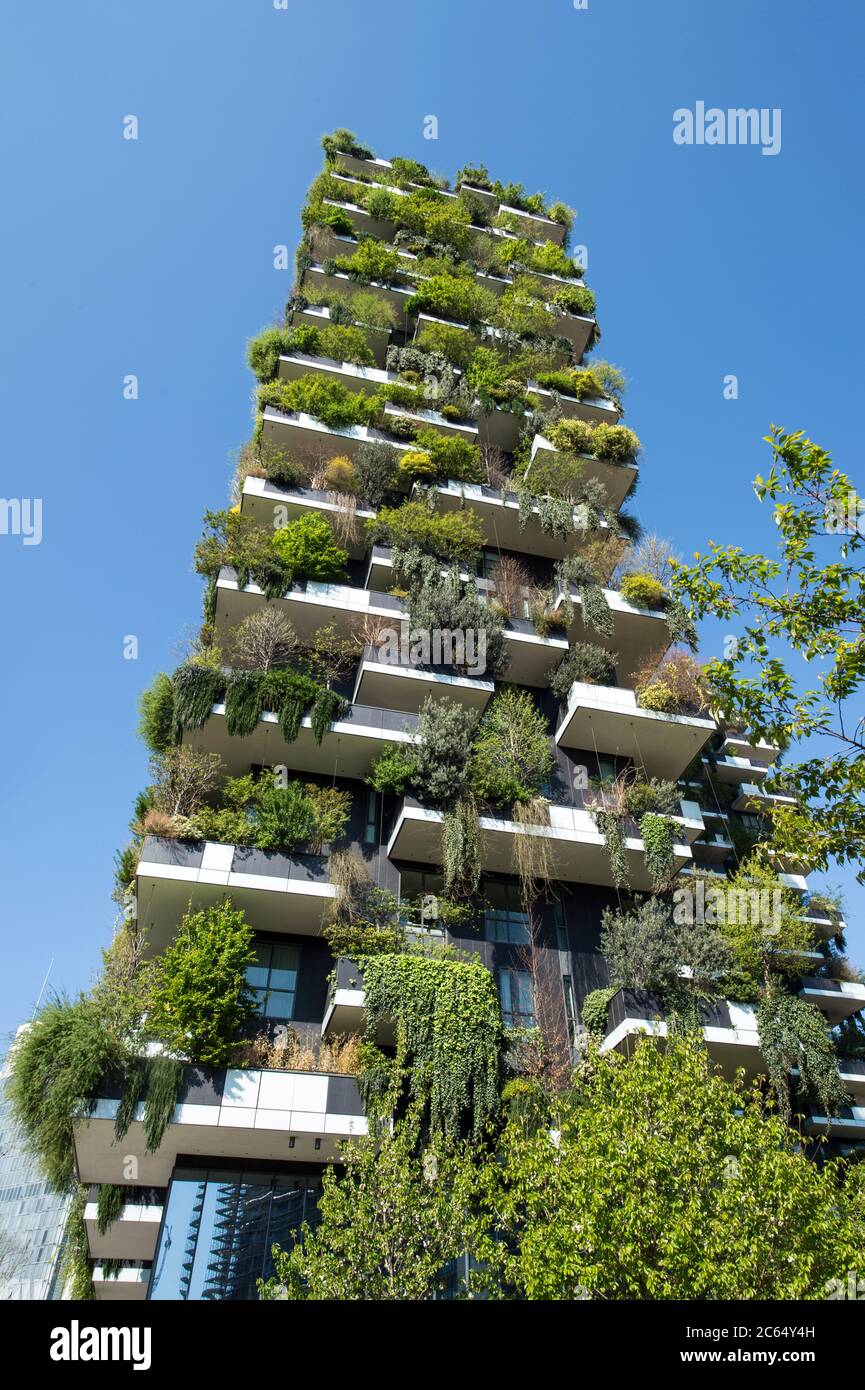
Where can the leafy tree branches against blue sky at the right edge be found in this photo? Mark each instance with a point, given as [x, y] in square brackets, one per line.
[807, 604]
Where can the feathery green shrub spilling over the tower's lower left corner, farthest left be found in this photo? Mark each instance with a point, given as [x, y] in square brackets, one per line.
[55, 1072]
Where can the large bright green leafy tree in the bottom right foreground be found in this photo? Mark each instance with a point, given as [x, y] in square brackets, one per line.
[658, 1179]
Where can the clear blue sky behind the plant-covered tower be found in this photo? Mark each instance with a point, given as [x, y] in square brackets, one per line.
[155, 258]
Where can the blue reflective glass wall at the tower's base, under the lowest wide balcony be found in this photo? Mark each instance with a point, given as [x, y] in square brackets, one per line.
[220, 1227]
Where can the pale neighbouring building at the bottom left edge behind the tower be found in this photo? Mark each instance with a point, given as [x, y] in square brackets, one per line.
[33, 1217]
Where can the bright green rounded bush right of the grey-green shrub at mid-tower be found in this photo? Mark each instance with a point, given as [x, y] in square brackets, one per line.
[512, 754]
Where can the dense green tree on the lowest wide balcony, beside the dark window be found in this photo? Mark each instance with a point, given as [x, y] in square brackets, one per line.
[201, 997]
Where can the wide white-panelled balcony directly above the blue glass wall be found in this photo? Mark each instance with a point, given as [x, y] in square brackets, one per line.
[236, 1114]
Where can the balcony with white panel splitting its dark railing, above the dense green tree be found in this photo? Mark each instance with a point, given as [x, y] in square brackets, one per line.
[279, 893]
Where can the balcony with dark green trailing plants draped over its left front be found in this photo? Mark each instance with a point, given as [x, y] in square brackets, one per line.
[348, 751]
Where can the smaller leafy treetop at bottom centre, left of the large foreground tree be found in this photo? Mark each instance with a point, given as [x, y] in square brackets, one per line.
[389, 1225]
